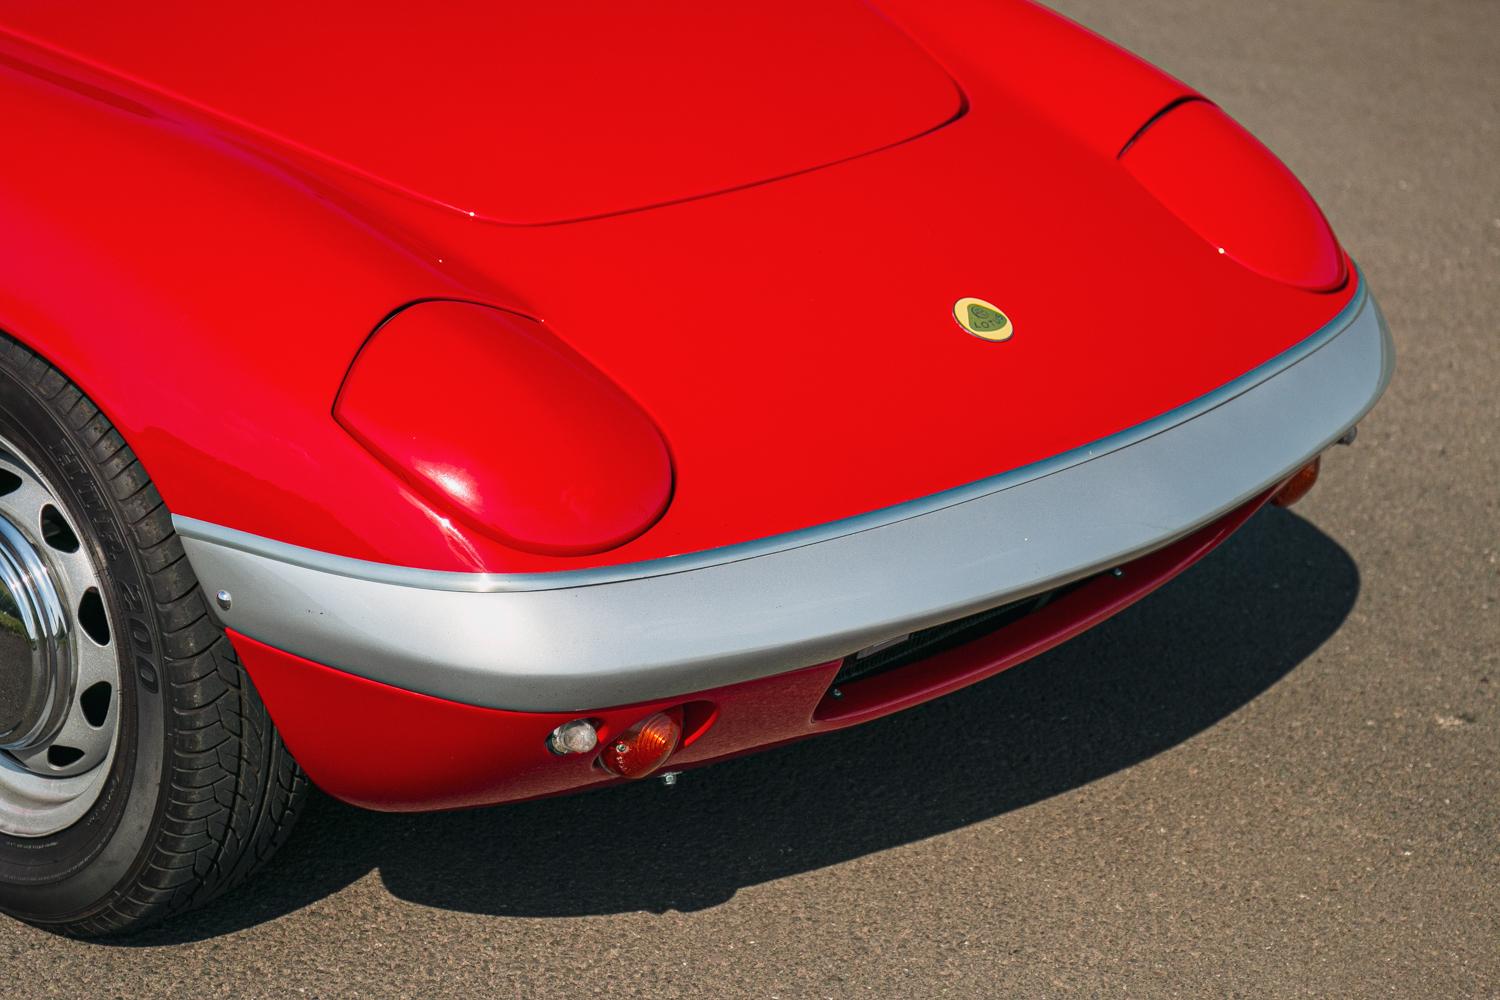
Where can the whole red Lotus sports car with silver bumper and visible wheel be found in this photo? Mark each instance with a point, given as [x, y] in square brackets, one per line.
[473, 403]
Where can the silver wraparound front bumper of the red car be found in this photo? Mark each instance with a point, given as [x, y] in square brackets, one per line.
[599, 638]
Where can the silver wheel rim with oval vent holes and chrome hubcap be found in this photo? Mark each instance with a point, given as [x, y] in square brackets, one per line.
[59, 665]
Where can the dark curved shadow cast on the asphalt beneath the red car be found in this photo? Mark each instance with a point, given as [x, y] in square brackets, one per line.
[1142, 683]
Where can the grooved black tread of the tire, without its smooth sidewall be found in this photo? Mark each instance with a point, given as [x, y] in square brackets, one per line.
[232, 791]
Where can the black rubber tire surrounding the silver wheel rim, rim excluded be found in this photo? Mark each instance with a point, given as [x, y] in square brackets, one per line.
[202, 791]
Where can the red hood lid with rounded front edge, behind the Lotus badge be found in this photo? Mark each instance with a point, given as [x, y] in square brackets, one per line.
[530, 113]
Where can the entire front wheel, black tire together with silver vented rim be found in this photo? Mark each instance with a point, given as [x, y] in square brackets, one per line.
[196, 788]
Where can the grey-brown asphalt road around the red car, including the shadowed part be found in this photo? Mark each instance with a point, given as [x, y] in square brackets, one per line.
[1276, 779]
